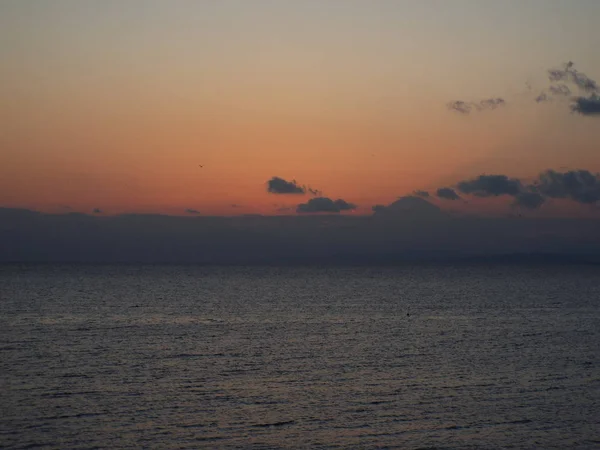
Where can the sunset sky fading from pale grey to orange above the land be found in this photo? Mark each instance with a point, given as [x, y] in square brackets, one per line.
[113, 105]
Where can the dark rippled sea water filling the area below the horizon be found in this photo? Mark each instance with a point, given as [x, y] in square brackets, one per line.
[195, 357]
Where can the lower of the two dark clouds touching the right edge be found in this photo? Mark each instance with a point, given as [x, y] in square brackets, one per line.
[579, 185]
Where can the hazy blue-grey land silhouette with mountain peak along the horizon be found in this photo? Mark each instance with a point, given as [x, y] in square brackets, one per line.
[408, 230]
